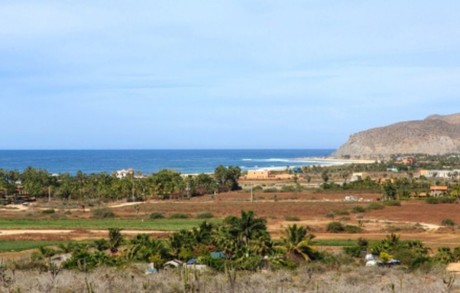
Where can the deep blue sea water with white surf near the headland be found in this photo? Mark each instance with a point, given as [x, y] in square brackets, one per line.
[149, 161]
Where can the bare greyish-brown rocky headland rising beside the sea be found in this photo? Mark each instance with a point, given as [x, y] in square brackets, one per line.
[434, 135]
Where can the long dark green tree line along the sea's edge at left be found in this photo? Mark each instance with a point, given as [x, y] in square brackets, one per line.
[164, 184]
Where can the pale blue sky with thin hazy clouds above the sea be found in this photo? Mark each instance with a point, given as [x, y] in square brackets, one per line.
[221, 74]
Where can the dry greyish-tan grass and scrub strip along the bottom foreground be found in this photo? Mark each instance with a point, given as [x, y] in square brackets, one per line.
[311, 278]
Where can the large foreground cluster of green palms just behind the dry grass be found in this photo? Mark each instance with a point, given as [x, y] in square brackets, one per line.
[239, 242]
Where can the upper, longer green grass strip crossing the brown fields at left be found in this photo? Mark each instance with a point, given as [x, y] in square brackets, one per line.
[133, 224]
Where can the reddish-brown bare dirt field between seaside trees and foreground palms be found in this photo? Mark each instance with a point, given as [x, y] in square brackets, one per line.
[414, 219]
